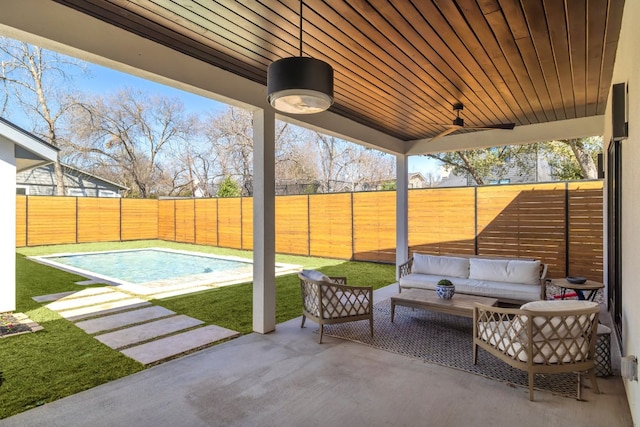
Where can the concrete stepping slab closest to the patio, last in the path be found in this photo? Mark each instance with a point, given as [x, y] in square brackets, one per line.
[164, 348]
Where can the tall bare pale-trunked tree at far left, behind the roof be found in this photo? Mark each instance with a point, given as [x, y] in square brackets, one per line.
[38, 82]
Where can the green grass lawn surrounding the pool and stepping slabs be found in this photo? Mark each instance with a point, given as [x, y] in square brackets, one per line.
[62, 359]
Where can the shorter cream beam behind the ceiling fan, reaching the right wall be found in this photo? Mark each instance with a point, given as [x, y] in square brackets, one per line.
[529, 134]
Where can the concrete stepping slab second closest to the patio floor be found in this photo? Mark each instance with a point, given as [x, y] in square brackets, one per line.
[147, 331]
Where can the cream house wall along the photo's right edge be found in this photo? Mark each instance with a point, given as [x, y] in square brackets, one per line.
[627, 70]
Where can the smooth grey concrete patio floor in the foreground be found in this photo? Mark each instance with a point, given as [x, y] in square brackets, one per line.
[287, 379]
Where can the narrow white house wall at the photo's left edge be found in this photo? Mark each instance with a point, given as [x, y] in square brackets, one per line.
[8, 221]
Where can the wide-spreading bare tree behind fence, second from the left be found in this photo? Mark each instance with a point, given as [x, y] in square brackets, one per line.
[129, 133]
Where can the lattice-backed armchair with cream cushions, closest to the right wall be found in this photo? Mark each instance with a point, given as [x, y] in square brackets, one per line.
[540, 337]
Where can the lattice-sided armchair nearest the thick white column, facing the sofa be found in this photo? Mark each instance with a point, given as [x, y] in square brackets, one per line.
[331, 301]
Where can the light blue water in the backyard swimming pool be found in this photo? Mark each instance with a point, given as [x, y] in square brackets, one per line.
[146, 265]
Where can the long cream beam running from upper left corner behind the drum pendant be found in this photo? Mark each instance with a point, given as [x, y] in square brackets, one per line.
[65, 30]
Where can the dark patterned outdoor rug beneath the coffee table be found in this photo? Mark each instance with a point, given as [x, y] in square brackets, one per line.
[445, 340]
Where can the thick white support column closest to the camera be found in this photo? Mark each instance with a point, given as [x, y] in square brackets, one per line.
[264, 279]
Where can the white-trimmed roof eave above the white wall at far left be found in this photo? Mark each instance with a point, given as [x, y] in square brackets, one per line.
[30, 151]
